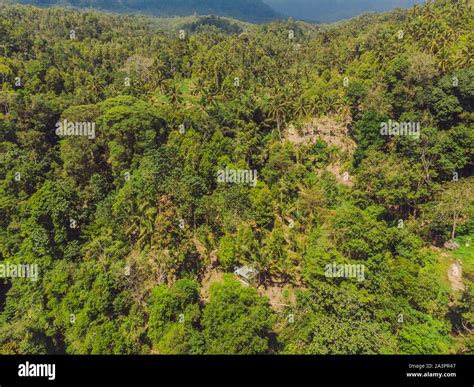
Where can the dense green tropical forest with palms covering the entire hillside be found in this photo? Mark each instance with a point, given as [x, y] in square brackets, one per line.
[144, 160]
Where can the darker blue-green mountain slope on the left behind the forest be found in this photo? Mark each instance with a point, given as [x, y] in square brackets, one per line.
[249, 10]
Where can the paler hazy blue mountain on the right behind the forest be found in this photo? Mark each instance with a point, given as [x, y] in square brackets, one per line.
[332, 10]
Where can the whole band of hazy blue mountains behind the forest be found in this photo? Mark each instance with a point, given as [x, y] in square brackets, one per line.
[255, 11]
